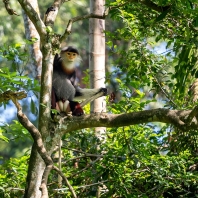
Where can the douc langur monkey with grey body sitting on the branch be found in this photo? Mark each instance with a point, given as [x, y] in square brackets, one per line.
[64, 88]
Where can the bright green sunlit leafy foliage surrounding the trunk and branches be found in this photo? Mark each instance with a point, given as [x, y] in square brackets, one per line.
[153, 56]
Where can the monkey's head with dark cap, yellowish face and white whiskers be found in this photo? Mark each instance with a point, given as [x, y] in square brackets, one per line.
[69, 56]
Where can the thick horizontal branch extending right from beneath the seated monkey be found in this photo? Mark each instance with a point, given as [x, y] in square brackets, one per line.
[175, 117]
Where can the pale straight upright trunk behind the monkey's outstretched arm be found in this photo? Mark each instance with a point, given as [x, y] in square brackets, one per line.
[97, 65]
